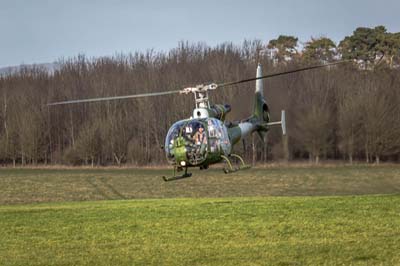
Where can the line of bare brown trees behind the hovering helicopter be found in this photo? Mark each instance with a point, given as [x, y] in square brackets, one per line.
[348, 112]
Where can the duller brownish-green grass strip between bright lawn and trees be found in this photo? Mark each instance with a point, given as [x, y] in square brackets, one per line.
[49, 185]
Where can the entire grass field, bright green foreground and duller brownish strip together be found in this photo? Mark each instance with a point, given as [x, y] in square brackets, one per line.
[210, 219]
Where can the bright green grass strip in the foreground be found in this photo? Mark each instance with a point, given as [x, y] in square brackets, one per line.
[361, 230]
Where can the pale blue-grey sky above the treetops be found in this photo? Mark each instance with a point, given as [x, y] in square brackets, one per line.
[41, 31]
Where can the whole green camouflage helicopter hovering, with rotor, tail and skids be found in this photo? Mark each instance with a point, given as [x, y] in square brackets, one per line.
[206, 138]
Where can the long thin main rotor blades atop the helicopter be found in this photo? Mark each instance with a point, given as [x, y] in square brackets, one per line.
[199, 89]
